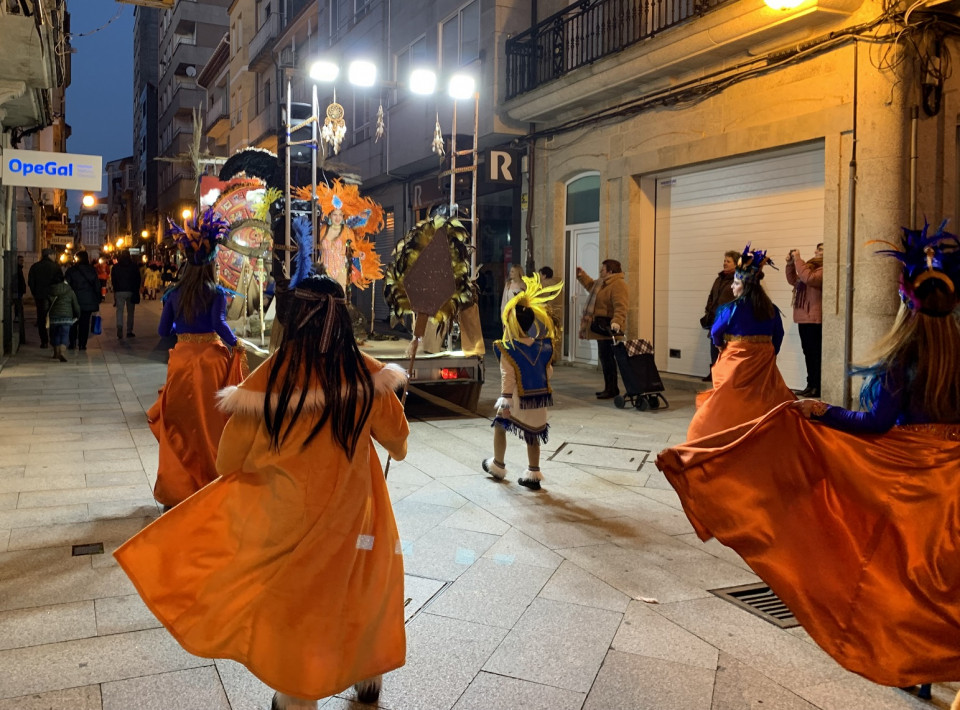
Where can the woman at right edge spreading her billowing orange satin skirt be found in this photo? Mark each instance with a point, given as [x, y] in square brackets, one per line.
[856, 529]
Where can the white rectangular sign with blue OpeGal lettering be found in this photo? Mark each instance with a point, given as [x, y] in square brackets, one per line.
[69, 171]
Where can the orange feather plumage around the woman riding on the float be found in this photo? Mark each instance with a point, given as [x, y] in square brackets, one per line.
[362, 217]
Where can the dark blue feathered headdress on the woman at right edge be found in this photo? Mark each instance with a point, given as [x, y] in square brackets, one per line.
[923, 257]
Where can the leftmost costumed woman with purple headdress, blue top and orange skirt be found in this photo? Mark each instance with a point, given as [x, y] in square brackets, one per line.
[185, 419]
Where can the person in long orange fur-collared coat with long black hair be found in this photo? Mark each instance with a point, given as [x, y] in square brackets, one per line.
[290, 562]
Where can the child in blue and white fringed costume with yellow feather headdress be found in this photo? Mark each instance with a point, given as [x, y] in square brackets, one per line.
[525, 370]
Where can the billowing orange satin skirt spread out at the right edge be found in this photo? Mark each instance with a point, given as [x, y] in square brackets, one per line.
[858, 535]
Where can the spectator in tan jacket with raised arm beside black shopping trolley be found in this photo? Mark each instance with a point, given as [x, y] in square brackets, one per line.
[605, 314]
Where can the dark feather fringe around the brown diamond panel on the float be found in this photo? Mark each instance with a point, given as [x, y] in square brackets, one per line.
[405, 255]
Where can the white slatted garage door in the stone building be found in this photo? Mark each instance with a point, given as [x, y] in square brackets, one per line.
[775, 201]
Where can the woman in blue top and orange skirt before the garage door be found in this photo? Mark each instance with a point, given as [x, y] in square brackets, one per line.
[748, 331]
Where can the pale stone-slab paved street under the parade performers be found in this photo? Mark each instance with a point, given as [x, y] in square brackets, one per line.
[589, 594]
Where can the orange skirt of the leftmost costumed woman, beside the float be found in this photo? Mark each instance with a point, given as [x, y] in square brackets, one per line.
[185, 419]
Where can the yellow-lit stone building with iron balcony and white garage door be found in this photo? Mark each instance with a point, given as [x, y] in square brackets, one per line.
[663, 134]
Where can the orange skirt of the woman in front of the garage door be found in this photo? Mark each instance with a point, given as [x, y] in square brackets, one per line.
[746, 384]
